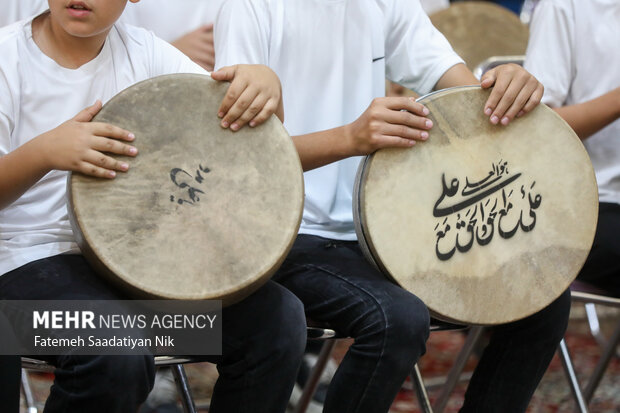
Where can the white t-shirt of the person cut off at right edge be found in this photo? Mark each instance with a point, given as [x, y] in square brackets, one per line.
[573, 51]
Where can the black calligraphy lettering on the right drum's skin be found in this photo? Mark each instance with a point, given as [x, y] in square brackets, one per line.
[482, 209]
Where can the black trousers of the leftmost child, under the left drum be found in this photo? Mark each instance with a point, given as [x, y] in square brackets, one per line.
[263, 338]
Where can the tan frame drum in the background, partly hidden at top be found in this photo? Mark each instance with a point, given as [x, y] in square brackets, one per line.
[478, 30]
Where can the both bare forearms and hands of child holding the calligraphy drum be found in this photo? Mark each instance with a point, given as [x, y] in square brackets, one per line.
[399, 122]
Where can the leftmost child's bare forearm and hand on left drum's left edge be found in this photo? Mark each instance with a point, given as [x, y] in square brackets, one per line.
[76, 145]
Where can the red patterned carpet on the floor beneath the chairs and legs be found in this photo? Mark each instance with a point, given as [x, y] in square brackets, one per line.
[553, 394]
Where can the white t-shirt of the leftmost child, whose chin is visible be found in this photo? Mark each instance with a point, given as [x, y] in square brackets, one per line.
[37, 95]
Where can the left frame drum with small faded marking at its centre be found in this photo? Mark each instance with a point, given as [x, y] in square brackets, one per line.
[203, 212]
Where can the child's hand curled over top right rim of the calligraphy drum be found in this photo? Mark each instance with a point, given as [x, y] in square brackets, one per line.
[515, 92]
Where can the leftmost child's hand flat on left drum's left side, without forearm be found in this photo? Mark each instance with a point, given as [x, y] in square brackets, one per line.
[80, 145]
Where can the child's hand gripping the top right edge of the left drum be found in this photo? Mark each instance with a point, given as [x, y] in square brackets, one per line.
[253, 95]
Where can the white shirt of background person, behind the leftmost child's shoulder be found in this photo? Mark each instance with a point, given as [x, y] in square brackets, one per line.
[171, 19]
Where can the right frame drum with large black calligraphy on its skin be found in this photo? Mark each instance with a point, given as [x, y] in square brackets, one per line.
[486, 224]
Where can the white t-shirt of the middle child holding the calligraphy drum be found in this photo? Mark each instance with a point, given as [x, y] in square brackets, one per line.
[332, 58]
